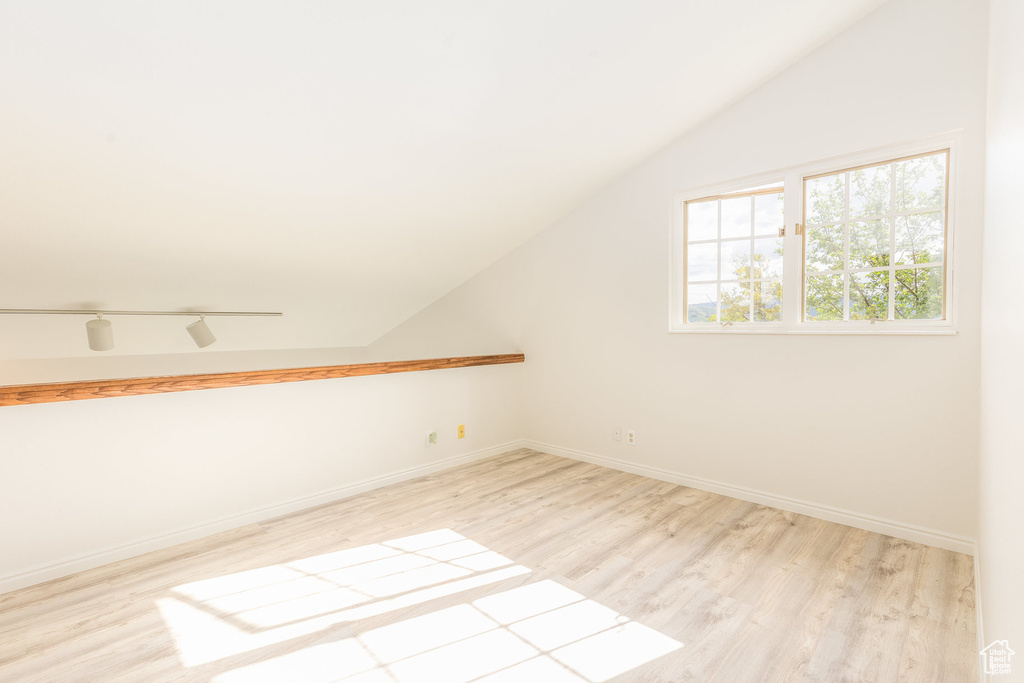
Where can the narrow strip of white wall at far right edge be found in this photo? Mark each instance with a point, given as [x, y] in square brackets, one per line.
[1002, 505]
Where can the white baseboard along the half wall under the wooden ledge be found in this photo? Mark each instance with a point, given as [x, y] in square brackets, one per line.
[72, 566]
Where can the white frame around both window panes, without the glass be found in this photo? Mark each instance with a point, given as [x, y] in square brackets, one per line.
[793, 180]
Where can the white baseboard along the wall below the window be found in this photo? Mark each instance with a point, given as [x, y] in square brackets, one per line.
[858, 521]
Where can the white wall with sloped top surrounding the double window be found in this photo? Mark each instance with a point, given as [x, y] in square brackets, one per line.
[881, 426]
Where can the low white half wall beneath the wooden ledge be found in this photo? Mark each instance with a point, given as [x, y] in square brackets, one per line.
[87, 483]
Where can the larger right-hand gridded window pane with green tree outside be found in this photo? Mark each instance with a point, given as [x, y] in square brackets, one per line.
[875, 242]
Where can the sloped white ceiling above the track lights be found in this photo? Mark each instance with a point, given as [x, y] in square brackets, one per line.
[347, 163]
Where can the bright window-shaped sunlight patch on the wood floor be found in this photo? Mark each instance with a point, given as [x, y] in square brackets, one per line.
[543, 631]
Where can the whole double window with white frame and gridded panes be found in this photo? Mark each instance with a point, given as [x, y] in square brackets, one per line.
[859, 245]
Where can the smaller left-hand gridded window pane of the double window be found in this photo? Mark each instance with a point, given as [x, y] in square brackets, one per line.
[733, 258]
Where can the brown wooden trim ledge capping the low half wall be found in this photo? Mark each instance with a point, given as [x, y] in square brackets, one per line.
[26, 395]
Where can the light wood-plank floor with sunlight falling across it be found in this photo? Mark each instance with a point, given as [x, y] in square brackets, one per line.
[520, 568]
